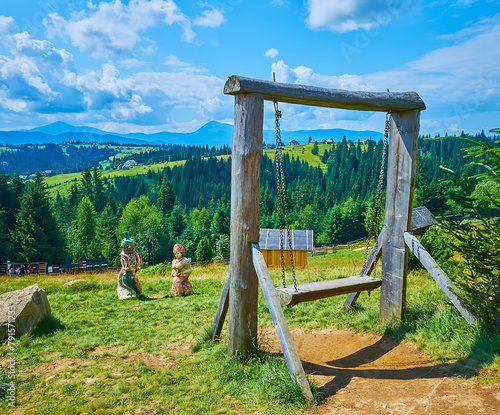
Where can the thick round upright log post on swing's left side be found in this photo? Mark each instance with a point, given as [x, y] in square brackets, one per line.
[245, 223]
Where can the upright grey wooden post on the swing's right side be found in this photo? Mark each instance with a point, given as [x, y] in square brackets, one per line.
[400, 183]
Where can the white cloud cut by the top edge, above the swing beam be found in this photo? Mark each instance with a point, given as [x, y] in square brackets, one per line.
[347, 15]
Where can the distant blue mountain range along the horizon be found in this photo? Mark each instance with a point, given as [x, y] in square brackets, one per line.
[213, 134]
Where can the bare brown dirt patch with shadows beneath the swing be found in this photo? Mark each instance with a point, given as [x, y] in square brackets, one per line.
[368, 374]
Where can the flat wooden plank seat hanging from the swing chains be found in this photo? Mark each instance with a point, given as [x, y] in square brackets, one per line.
[322, 289]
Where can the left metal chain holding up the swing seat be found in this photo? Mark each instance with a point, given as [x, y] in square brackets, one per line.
[280, 179]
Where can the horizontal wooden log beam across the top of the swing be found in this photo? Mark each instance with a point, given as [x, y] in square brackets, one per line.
[323, 97]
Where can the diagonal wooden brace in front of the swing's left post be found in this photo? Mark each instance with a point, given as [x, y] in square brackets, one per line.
[284, 336]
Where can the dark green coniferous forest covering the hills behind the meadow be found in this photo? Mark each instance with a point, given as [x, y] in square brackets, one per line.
[190, 203]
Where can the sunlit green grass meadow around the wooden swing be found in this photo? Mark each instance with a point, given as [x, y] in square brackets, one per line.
[116, 357]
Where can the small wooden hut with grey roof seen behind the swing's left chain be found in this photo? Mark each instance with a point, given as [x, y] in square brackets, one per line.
[301, 241]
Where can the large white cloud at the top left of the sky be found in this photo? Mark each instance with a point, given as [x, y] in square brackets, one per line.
[115, 28]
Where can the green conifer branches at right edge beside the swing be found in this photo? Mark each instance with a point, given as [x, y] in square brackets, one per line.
[478, 235]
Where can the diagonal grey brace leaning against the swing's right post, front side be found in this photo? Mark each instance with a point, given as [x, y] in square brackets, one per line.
[439, 275]
